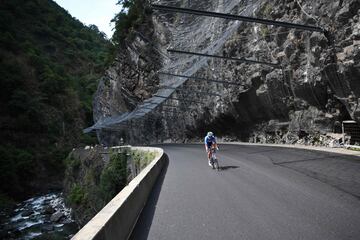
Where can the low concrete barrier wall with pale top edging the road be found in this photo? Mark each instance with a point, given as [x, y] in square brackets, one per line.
[118, 218]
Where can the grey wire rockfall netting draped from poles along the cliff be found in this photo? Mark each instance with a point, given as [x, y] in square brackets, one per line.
[187, 33]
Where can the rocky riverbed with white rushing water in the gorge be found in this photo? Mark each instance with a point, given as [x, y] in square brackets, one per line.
[42, 217]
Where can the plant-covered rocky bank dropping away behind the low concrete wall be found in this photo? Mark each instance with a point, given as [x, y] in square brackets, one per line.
[93, 178]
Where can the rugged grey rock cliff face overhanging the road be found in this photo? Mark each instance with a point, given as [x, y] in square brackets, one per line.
[317, 86]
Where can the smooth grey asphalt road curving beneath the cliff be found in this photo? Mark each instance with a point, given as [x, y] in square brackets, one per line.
[261, 193]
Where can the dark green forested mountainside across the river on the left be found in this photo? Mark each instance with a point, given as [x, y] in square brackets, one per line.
[50, 64]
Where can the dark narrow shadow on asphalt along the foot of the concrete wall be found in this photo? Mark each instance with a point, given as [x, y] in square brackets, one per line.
[142, 227]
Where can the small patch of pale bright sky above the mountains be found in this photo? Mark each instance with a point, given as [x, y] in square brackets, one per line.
[98, 12]
